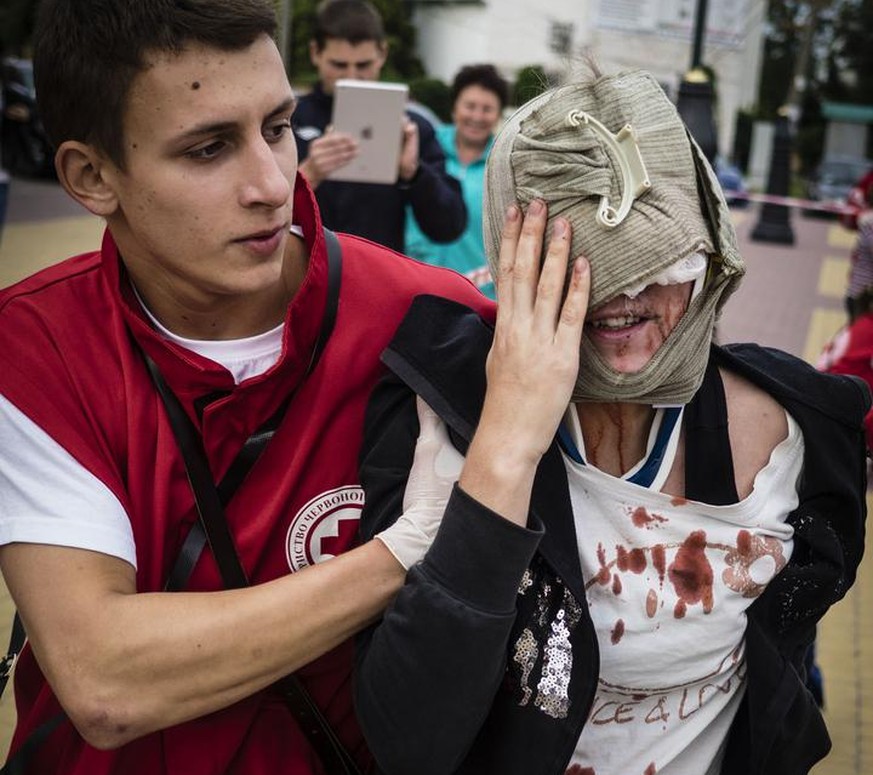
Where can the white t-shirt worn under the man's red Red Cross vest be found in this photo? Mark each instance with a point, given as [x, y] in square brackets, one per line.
[78, 510]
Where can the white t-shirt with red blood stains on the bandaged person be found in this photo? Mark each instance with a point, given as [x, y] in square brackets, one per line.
[668, 582]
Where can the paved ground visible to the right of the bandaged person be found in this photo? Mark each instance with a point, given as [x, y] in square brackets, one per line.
[792, 298]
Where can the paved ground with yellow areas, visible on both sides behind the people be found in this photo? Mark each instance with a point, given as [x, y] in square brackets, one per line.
[791, 298]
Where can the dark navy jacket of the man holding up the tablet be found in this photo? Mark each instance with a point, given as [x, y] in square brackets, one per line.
[378, 211]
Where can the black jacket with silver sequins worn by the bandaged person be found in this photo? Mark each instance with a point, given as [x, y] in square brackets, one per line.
[435, 689]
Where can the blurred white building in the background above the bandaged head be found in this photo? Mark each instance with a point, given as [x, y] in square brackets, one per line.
[655, 35]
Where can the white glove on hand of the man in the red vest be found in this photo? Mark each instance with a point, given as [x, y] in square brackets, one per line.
[436, 465]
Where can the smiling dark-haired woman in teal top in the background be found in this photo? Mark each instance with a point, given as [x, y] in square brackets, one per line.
[479, 95]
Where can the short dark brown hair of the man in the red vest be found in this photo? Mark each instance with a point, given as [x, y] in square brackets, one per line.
[88, 52]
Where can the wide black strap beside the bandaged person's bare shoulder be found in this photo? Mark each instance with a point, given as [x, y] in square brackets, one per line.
[709, 465]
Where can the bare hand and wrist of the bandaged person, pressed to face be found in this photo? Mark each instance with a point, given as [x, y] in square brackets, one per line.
[533, 362]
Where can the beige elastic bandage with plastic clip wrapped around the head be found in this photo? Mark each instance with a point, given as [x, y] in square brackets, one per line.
[600, 147]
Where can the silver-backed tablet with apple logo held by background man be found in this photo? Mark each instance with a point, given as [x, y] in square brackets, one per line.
[371, 112]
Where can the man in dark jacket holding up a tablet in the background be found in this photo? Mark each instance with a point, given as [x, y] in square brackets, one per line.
[349, 42]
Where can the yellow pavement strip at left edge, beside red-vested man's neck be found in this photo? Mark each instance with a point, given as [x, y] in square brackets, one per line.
[28, 247]
